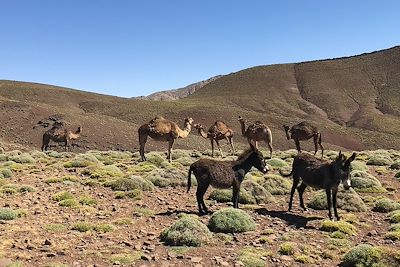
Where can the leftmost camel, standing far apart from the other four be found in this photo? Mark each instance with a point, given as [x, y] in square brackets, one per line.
[59, 134]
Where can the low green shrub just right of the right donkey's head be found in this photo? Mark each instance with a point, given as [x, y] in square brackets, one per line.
[364, 182]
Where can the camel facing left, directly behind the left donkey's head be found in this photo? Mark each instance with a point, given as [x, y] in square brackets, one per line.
[256, 132]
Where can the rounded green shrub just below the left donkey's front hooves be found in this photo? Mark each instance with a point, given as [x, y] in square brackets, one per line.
[230, 220]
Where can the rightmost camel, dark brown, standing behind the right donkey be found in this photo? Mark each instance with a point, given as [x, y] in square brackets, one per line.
[304, 131]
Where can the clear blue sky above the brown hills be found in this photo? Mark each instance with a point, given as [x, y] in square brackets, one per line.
[131, 48]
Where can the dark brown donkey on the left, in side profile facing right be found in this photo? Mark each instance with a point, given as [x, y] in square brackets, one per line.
[224, 174]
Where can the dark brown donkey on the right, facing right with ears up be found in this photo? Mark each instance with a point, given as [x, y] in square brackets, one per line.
[320, 174]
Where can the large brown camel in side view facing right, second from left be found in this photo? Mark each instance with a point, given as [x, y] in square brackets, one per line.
[161, 129]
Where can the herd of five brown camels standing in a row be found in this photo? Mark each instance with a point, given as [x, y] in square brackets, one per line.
[161, 129]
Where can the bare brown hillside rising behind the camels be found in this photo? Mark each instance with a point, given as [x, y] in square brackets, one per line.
[355, 102]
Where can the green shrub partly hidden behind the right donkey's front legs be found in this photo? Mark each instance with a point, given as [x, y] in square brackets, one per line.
[347, 200]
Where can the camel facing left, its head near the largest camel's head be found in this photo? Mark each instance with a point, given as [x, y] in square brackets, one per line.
[218, 131]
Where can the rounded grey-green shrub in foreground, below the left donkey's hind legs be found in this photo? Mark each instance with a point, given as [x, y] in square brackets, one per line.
[186, 232]
